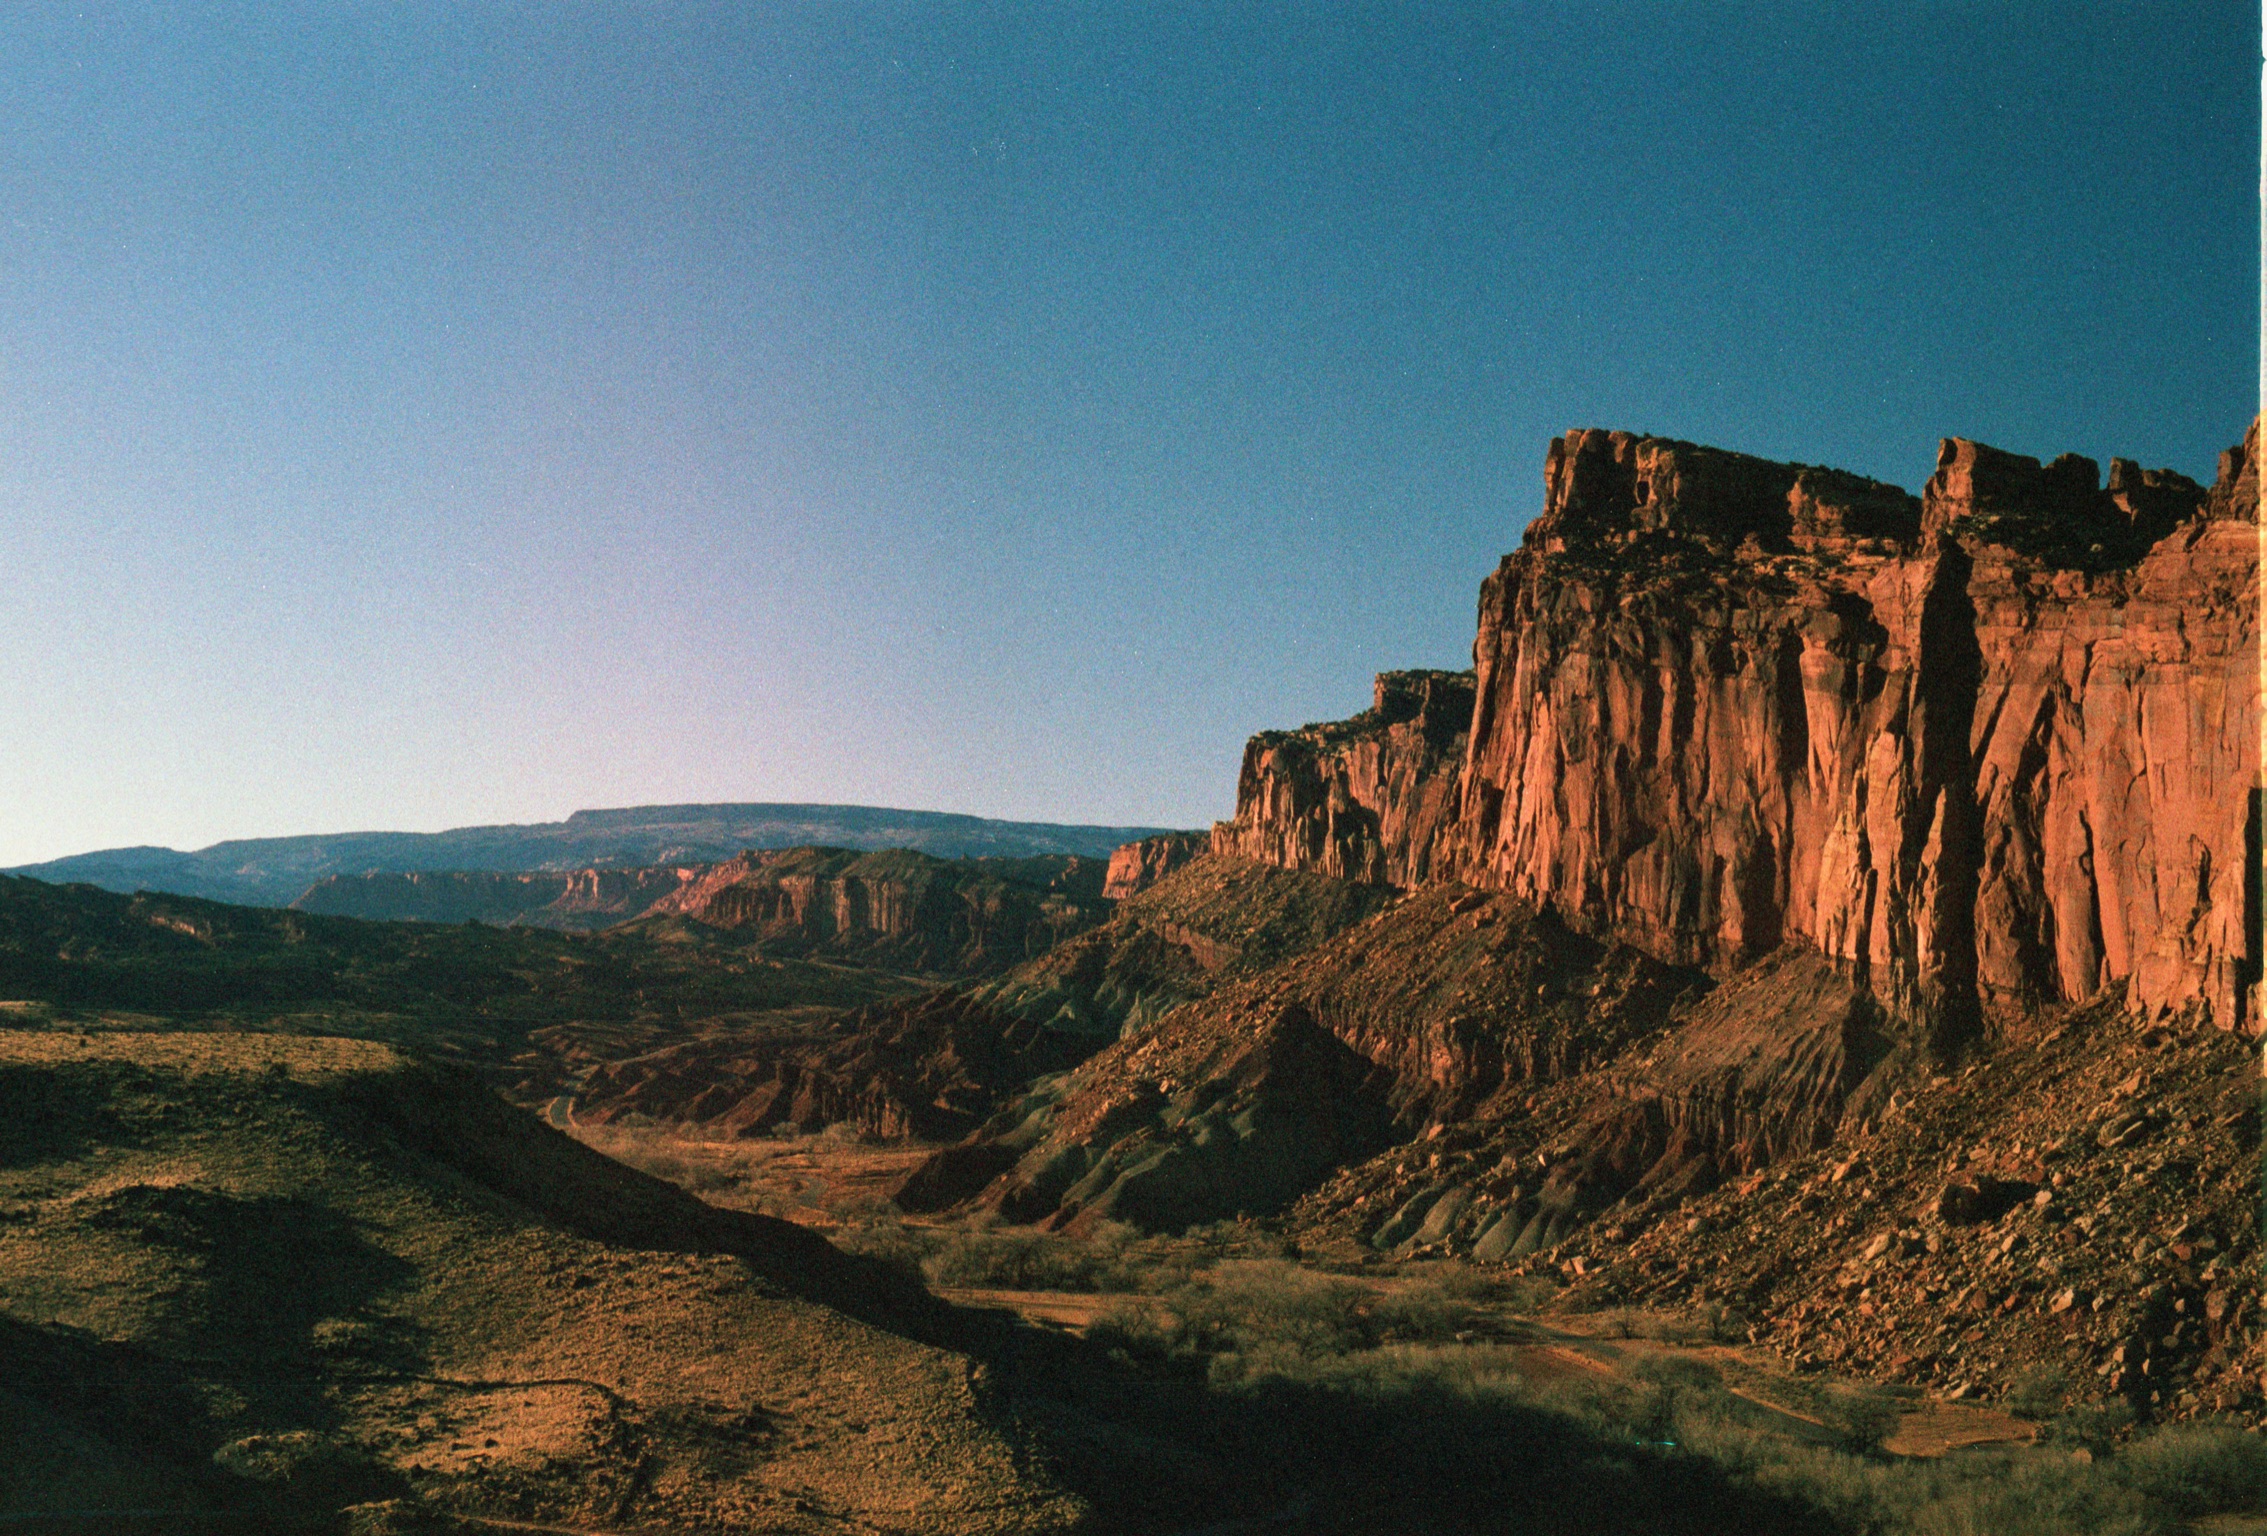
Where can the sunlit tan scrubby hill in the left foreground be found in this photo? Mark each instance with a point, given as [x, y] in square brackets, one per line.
[269, 1279]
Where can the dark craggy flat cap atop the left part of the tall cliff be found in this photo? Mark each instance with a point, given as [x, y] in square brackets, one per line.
[1611, 490]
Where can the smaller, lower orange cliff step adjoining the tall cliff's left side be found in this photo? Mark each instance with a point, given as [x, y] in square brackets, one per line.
[1368, 799]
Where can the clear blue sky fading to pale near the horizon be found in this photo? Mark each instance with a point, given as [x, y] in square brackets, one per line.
[434, 416]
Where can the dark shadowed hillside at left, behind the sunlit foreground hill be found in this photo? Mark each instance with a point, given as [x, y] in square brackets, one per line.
[525, 1007]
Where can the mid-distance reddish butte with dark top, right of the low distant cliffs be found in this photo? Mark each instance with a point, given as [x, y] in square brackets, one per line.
[899, 910]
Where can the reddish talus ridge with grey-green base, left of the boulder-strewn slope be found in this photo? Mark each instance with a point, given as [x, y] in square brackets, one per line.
[1443, 1009]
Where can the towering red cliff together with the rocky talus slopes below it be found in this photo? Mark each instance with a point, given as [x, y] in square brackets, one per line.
[1817, 907]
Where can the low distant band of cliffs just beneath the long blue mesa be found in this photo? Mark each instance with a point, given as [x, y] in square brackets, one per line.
[575, 901]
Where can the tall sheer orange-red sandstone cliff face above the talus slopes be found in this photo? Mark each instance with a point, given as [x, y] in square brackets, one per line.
[1982, 749]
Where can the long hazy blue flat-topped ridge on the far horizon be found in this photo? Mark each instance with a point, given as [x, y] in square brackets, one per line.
[280, 871]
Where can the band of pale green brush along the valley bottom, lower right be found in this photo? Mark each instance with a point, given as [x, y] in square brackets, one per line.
[1300, 1360]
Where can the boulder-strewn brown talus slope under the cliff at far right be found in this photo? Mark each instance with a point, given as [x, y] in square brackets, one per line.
[2075, 1211]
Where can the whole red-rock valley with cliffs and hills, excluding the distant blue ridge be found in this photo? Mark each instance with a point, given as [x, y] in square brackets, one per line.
[1769, 1050]
